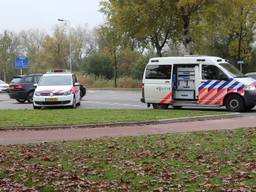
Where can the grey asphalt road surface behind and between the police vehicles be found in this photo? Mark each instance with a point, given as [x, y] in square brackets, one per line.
[93, 99]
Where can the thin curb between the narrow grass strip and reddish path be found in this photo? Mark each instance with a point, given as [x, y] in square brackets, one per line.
[162, 121]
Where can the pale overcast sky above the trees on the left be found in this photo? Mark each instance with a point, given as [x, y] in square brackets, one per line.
[17, 15]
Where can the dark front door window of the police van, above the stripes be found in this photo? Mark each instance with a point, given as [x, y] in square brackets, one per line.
[211, 72]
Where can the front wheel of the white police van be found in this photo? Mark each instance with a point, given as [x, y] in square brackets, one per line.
[235, 103]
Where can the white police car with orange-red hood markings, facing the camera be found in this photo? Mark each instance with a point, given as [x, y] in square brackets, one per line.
[57, 88]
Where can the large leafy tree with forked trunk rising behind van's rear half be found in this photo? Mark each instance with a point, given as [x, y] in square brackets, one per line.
[152, 21]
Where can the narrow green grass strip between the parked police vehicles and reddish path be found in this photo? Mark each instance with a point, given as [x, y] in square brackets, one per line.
[21, 118]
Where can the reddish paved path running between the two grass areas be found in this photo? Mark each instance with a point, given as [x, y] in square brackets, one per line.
[33, 136]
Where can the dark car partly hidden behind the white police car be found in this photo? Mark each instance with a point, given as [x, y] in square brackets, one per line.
[22, 88]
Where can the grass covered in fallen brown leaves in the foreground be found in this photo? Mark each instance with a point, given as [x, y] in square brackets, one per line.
[202, 161]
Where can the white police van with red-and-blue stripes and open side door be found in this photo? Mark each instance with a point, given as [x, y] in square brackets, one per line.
[196, 81]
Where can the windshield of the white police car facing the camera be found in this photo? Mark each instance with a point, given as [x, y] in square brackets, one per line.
[52, 80]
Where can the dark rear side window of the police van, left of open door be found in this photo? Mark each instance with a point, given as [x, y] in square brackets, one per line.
[158, 72]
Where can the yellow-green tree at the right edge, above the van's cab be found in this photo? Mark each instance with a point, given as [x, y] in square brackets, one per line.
[227, 29]
